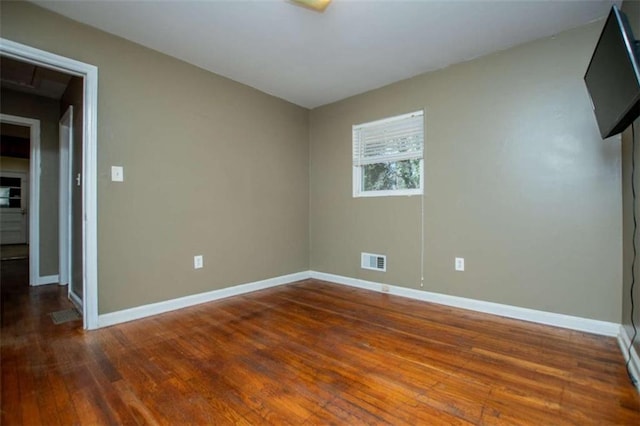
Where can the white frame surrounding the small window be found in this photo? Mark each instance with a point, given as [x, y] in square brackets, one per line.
[358, 169]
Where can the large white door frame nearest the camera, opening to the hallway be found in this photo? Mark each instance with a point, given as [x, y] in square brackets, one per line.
[89, 73]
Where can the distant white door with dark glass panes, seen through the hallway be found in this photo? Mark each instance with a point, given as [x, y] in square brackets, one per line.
[13, 207]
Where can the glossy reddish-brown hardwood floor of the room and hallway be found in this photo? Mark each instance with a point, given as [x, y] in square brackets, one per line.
[307, 353]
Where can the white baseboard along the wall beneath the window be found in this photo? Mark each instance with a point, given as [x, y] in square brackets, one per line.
[548, 318]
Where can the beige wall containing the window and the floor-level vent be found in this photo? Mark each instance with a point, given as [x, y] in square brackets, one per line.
[518, 182]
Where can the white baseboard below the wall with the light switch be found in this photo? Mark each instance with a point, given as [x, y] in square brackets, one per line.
[138, 312]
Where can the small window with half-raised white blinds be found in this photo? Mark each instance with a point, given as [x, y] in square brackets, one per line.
[388, 156]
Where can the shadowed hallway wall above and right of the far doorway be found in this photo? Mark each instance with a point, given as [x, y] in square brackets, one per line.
[48, 112]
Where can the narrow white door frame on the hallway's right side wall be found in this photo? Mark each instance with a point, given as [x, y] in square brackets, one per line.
[64, 212]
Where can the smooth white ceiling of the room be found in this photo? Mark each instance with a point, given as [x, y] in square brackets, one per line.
[312, 58]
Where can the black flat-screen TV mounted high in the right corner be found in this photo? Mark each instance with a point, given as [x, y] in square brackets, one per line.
[613, 76]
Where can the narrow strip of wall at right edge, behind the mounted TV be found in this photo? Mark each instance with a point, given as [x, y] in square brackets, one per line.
[632, 10]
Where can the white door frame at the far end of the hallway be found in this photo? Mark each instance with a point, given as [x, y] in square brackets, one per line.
[34, 192]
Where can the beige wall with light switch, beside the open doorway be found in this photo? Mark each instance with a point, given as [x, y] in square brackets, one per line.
[211, 167]
